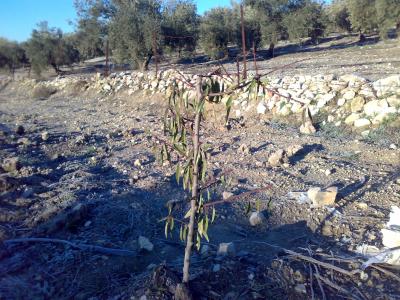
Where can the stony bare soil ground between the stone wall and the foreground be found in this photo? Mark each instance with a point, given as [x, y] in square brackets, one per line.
[81, 169]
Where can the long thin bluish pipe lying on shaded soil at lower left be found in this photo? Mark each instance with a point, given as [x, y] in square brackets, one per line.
[83, 247]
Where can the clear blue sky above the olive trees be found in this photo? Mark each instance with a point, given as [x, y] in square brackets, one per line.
[19, 17]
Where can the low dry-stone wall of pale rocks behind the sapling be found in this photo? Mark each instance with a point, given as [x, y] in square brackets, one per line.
[344, 100]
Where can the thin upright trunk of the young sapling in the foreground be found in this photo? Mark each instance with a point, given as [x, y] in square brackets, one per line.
[195, 195]
